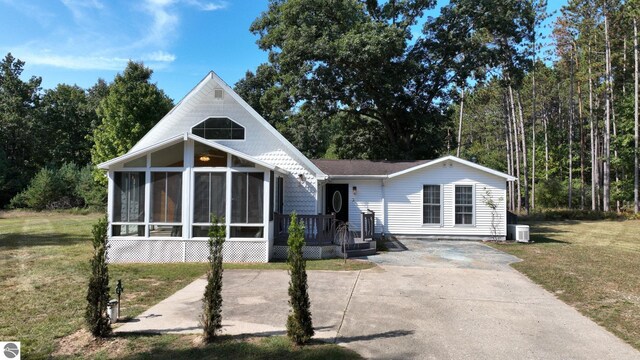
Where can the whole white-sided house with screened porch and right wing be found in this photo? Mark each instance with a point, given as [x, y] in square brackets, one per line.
[212, 154]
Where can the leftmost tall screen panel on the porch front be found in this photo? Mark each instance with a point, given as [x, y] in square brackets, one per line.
[128, 200]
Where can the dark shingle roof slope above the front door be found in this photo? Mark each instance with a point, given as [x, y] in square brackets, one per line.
[364, 167]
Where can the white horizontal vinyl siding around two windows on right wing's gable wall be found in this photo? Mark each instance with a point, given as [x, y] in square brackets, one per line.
[403, 201]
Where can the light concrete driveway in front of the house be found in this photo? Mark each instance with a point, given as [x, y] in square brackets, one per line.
[431, 300]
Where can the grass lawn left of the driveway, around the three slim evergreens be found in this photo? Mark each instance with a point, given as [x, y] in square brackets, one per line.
[44, 268]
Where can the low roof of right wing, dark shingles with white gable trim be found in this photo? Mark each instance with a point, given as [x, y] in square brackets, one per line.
[390, 169]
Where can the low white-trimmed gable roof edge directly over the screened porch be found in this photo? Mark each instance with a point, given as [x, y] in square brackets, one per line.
[183, 137]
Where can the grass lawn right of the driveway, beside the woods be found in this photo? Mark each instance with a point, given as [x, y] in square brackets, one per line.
[591, 265]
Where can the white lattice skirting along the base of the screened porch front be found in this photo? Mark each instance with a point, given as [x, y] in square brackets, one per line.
[163, 250]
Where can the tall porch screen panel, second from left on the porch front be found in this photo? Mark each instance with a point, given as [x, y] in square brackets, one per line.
[166, 194]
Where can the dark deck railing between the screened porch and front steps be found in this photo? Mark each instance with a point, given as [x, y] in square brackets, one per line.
[318, 229]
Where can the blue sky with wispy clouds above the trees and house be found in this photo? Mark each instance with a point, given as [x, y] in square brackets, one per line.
[78, 41]
